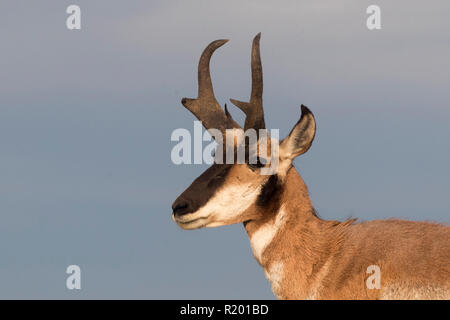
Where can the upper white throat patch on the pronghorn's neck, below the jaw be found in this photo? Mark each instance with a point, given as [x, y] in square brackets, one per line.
[262, 237]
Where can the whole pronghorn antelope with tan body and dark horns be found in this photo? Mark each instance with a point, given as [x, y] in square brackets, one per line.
[303, 256]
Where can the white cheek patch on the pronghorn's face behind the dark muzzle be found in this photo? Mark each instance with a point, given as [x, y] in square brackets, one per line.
[228, 203]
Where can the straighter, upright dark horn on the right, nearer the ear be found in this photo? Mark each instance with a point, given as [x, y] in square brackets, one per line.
[253, 110]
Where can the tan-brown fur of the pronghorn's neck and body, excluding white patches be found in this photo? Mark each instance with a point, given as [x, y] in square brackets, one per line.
[328, 259]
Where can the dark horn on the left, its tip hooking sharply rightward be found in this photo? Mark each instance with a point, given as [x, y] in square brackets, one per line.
[205, 107]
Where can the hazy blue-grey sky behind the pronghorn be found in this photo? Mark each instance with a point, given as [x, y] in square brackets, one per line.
[86, 118]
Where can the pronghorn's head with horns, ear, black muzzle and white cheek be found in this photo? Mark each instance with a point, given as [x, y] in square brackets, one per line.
[237, 191]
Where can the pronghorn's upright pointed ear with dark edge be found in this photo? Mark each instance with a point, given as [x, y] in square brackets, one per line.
[301, 136]
